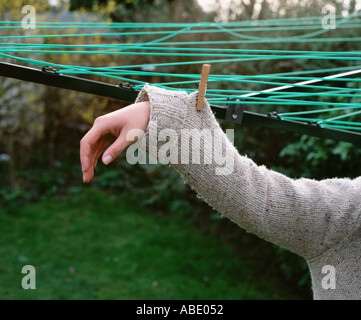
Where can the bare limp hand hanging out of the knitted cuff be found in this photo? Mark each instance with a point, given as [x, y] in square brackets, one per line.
[105, 128]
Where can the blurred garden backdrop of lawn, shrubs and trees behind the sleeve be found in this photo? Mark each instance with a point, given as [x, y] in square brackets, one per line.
[138, 232]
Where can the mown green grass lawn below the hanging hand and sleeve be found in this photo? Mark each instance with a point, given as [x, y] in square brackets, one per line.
[96, 246]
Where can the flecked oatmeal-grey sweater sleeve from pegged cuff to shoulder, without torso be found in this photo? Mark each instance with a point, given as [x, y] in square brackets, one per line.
[296, 214]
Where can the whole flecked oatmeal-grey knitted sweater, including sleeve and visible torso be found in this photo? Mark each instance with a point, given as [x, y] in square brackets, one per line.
[318, 220]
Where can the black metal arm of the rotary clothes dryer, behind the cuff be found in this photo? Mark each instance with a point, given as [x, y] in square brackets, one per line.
[50, 77]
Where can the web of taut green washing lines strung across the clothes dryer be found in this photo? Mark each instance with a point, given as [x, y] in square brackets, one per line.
[25, 46]
